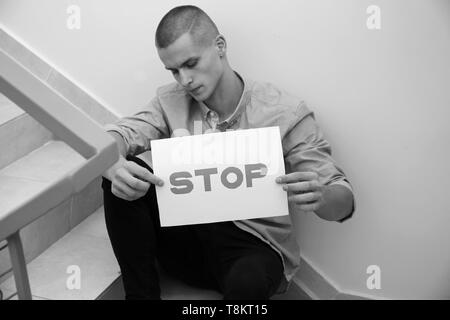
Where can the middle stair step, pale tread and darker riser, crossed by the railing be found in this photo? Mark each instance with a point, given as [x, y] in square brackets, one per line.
[29, 175]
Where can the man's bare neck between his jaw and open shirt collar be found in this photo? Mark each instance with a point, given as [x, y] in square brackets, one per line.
[227, 95]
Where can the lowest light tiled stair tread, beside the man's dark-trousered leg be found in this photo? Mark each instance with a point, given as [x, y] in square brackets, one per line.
[87, 247]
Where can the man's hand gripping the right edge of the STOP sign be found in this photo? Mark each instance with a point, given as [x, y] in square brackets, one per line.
[304, 190]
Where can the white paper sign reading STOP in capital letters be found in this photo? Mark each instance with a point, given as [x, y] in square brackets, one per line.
[218, 177]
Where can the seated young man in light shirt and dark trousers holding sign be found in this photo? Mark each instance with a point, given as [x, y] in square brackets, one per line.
[250, 259]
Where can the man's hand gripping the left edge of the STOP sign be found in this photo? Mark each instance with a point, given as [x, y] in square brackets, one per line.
[130, 181]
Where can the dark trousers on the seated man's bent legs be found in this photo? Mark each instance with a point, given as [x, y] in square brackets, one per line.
[217, 256]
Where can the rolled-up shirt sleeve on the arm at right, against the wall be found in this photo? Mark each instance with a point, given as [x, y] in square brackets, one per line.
[306, 149]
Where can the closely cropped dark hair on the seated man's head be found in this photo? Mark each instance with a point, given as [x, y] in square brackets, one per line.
[186, 19]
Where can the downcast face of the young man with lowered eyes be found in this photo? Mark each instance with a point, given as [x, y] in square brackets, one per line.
[196, 67]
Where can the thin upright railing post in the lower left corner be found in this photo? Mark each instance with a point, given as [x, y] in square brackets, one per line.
[19, 266]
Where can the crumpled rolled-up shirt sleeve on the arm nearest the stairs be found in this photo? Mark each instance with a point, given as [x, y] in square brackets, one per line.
[137, 131]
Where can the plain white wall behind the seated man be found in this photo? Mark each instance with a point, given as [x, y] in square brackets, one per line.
[382, 98]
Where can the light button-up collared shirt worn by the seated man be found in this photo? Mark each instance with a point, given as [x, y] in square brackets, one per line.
[261, 105]
